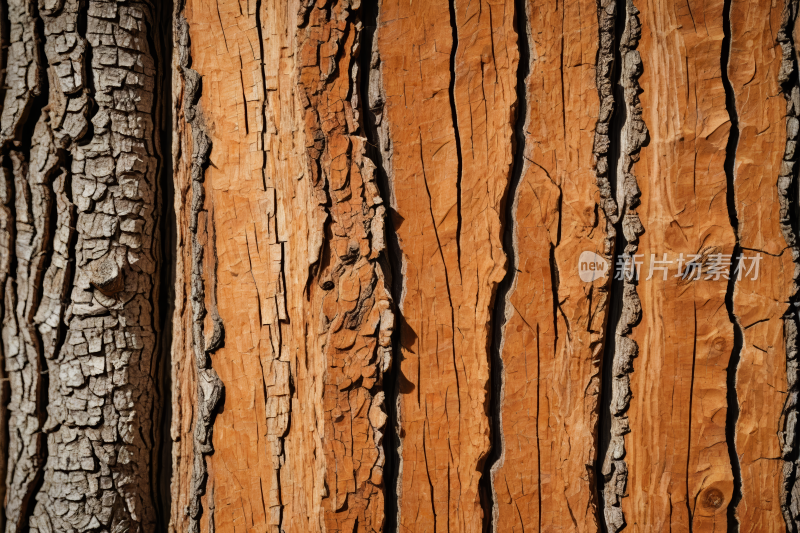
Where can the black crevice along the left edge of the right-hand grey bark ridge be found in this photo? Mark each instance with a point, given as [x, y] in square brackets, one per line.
[615, 291]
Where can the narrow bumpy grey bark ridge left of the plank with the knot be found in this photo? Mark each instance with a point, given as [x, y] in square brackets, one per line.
[633, 136]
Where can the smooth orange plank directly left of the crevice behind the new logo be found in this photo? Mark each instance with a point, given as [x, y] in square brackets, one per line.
[558, 215]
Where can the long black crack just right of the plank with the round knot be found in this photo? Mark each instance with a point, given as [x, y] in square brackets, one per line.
[732, 416]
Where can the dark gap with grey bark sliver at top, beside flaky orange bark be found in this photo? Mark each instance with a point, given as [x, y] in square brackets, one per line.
[376, 129]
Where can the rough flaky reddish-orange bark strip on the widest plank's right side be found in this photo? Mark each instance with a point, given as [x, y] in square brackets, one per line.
[346, 282]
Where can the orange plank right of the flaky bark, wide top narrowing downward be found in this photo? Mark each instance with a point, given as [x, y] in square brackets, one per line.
[447, 123]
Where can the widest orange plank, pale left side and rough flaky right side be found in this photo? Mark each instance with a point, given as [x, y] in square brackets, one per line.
[292, 210]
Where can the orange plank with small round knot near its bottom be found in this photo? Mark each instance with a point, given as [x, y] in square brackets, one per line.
[679, 473]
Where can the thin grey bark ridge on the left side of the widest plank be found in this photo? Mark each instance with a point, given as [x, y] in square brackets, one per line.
[210, 388]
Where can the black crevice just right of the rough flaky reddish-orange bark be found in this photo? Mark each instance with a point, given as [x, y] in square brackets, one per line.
[391, 261]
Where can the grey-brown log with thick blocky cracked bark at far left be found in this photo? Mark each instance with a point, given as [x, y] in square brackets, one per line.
[81, 180]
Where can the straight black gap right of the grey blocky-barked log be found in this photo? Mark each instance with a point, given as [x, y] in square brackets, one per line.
[161, 45]
